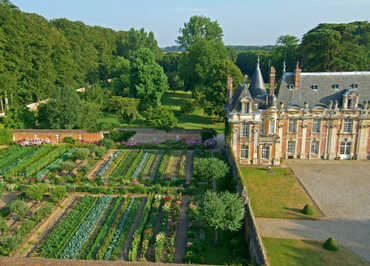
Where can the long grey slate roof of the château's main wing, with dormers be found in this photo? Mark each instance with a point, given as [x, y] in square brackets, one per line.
[325, 91]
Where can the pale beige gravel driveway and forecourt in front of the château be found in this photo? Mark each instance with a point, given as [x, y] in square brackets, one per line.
[342, 191]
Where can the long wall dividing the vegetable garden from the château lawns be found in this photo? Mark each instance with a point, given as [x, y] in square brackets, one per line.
[252, 236]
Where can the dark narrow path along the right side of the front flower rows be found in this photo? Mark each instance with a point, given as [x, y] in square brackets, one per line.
[181, 233]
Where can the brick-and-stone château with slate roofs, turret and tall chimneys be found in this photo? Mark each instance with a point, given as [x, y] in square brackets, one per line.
[305, 116]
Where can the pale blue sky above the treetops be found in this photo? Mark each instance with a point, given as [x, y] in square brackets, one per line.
[244, 22]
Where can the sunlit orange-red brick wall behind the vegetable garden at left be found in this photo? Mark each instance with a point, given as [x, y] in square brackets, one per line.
[56, 135]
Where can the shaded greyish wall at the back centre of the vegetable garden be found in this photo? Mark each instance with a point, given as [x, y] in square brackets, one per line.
[155, 136]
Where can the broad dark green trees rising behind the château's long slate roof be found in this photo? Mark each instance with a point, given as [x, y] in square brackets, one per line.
[337, 47]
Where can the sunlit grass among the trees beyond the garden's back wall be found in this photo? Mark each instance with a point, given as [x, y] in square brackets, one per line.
[196, 120]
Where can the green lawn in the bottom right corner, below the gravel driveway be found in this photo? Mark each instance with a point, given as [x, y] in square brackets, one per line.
[303, 252]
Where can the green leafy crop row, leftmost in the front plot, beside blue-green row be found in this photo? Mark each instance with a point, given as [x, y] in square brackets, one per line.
[59, 236]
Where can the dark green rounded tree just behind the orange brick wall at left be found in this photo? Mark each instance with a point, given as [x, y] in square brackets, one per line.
[62, 111]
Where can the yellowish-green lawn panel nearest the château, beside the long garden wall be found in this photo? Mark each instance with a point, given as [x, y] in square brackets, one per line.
[276, 193]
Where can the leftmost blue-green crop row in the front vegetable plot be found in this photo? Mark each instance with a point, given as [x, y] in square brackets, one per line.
[82, 234]
